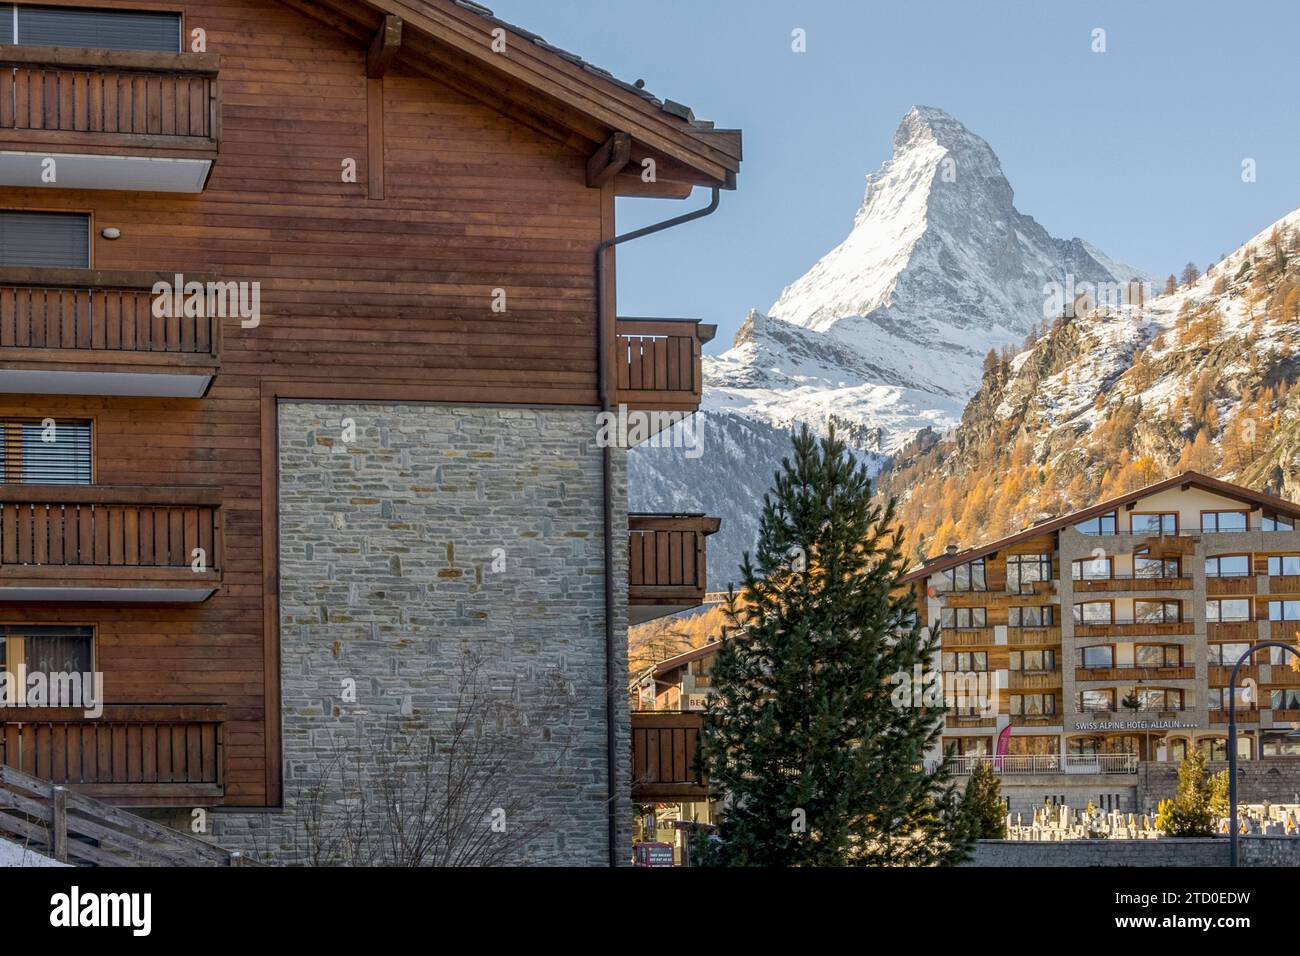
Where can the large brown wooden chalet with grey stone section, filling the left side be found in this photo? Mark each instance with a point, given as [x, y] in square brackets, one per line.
[275, 520]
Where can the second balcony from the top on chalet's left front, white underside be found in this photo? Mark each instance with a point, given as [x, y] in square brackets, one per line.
[81, 332]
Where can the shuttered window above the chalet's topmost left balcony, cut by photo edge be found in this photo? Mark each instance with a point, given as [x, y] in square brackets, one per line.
[93, 29]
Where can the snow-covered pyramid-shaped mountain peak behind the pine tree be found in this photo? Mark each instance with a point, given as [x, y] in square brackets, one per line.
[886, 336]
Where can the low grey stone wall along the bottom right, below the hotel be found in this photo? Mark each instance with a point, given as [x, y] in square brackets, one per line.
[1254, 851]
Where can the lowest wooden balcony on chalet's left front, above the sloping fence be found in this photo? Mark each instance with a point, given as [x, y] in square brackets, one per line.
[131, 756]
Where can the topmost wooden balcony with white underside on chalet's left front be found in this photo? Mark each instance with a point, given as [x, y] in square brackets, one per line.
[110, 119]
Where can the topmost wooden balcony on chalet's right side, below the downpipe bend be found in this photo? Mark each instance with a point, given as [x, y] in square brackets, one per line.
[660, 364]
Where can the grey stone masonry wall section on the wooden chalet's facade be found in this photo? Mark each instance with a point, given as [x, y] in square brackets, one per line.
[434, 538]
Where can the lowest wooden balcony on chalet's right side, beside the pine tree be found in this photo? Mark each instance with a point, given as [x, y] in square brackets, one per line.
[664, 756]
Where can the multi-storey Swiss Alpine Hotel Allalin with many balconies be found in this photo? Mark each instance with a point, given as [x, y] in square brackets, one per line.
[1108, 638]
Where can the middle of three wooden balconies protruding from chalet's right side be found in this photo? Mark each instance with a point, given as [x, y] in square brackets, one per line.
[668, 561]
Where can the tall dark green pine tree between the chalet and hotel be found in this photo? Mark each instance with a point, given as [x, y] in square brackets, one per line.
[818, 764]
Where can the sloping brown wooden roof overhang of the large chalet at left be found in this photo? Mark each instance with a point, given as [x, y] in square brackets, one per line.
[553, 90]
